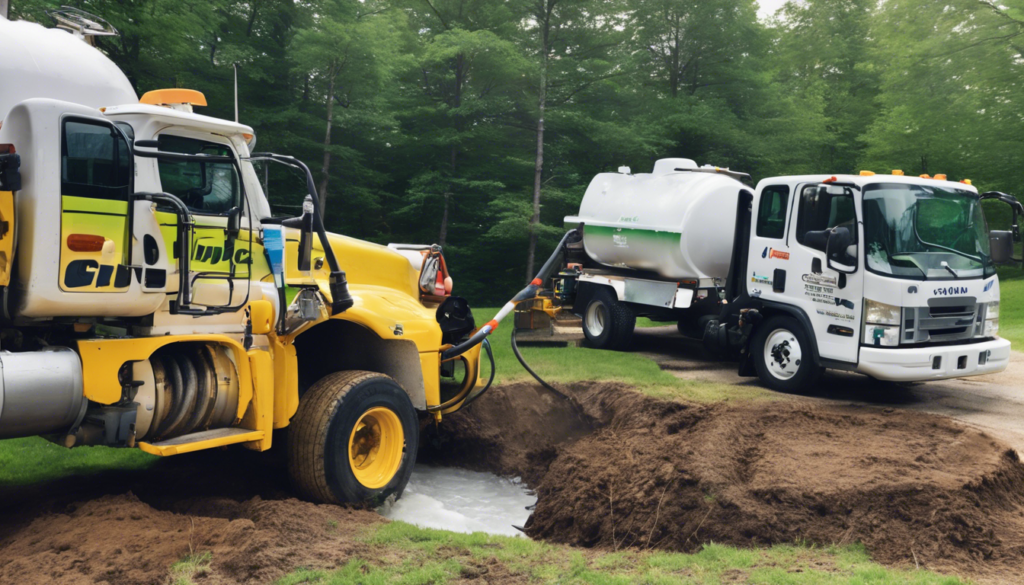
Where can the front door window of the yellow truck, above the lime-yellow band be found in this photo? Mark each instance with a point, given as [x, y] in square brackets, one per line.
[210, 188]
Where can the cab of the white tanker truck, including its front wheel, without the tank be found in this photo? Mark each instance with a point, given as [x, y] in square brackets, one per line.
[889, 276]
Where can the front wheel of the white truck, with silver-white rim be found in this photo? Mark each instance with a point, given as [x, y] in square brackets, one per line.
[783, 356]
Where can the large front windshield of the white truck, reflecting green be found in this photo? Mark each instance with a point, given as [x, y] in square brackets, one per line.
[919, 232]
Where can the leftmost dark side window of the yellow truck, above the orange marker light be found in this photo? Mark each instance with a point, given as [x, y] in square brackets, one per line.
[95, 161]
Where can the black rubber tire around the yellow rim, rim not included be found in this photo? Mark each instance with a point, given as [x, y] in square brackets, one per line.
[319, 437]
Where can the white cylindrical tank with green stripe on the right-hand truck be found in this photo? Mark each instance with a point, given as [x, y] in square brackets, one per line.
[677, 222]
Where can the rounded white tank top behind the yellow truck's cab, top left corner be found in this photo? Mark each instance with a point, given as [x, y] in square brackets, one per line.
[51, 63]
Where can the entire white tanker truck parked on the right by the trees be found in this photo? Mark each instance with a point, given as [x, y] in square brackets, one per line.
[889, 276]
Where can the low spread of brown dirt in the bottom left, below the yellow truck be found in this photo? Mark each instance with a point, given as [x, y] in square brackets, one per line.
[122, 540]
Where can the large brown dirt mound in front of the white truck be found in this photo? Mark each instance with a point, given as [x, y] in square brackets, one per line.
[913, 488]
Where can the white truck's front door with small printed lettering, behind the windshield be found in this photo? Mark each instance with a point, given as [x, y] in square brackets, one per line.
[833, 301]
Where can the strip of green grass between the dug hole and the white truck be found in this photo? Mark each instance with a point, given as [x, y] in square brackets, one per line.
[576, 364]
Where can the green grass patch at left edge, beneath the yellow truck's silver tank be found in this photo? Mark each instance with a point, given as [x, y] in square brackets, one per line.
[33, 461]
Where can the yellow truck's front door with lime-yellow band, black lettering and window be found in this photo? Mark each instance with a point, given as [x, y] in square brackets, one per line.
[212, 192]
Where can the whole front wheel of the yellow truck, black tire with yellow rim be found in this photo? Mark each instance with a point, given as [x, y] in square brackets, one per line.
[354, 439]
